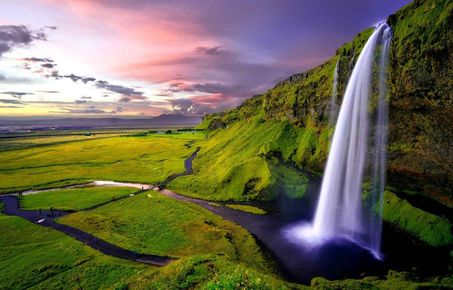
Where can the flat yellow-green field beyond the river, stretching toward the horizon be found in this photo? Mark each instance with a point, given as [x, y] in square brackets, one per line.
[149, 158]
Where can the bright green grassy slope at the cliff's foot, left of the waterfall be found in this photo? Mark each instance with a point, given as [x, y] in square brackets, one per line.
[249, 161]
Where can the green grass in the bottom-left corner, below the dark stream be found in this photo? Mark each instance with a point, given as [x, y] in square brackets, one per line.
[35, 257]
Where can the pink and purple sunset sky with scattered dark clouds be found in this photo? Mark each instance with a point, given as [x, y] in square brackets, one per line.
[146, 58]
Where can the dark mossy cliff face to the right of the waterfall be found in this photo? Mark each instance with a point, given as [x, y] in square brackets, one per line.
[421, 98]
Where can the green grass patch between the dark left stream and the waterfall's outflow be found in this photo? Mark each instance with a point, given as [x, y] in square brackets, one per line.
[164, 226]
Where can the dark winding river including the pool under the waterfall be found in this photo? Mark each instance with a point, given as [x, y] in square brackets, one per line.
[336, 260]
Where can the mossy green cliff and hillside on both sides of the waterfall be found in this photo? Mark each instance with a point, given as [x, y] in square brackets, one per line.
[251, 147]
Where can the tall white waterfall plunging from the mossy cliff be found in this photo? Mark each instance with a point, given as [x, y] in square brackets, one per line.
[343, 213]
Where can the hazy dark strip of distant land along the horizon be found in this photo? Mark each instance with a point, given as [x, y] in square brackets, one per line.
[165, 120]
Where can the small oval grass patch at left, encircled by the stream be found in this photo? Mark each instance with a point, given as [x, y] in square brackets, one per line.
[73, 198]
